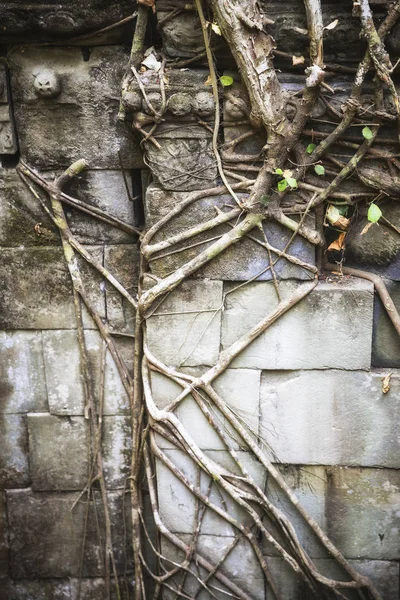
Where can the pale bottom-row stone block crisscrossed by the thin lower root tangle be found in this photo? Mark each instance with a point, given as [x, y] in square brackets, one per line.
[240, 566]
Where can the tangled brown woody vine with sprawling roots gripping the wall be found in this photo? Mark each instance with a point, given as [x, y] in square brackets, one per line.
[287, 160]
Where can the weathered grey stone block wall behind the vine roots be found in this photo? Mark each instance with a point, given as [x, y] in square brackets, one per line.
[310, 387]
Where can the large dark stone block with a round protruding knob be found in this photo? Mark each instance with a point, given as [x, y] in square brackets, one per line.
[59, 95]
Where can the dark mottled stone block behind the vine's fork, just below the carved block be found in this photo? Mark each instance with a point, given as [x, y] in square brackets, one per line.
[245, 260]
